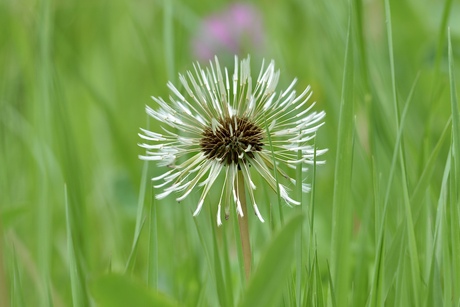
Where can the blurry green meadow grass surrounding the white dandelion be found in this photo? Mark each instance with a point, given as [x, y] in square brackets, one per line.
[79, 224]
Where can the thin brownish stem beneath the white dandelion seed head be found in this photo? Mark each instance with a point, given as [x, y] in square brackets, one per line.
[243, 225]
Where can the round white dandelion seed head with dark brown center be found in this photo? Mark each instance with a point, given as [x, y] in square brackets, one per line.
[225, 125]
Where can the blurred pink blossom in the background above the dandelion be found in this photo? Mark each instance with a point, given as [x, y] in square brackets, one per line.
[237, 29]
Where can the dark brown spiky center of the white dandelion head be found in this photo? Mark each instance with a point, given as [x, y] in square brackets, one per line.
[233, 141]
